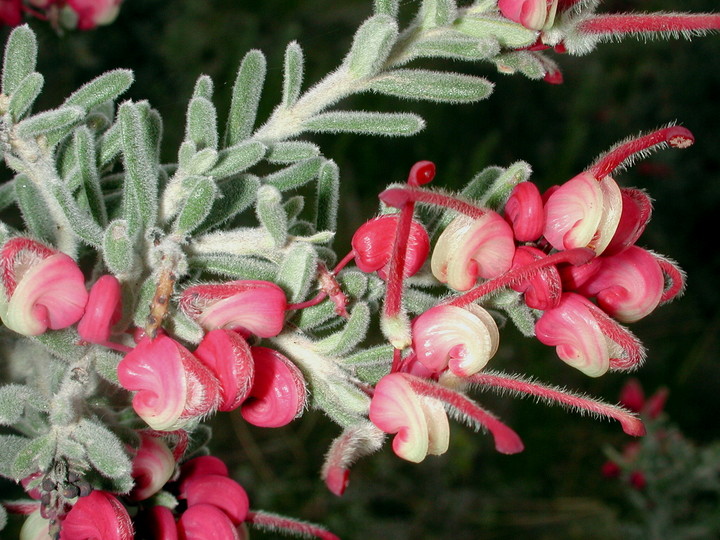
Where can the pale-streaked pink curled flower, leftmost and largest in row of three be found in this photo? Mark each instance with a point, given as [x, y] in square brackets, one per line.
[172, 386]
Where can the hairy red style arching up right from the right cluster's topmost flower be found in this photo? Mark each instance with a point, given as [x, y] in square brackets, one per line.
[674, 136]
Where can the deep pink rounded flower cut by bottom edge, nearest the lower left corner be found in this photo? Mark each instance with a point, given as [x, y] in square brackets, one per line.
[98, 516]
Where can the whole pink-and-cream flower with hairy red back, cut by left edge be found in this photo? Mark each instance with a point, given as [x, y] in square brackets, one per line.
[43, 289]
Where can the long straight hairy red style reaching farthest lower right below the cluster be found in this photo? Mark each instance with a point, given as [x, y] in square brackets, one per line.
[630, 423]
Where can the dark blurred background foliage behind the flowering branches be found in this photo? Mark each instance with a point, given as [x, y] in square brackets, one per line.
[554, 489]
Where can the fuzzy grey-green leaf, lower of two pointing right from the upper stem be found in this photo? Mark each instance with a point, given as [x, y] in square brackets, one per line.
[367, 123]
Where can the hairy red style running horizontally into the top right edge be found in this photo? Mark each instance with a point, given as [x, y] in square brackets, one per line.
[643, 23]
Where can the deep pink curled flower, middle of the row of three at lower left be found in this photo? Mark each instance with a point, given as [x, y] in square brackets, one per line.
[228, 356]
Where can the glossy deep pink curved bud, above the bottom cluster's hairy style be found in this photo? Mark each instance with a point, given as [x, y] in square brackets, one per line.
[219, 491]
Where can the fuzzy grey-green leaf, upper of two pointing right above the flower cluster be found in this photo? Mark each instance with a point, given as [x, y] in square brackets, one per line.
[432, 86]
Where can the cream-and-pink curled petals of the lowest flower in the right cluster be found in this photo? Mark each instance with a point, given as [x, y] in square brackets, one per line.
[395, 408]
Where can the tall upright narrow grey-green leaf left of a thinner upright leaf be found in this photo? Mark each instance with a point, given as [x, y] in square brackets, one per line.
[246, 97]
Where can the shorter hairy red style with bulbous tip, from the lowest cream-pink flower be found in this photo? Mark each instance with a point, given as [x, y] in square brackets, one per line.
[506, 440]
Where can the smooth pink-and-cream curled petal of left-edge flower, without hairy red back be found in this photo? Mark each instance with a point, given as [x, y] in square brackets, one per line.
[51, 294]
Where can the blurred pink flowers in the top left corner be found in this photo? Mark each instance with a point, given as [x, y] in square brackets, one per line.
[66, 14]
